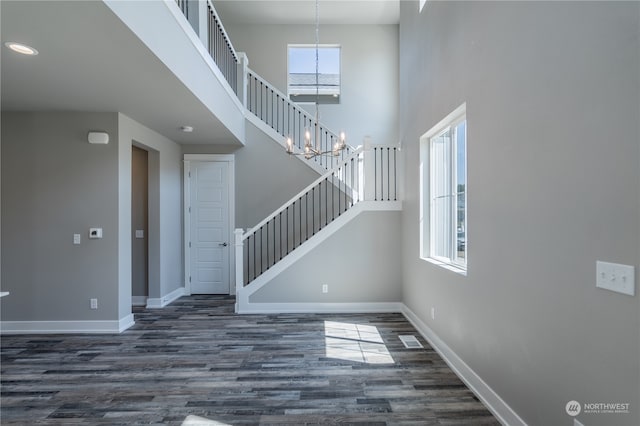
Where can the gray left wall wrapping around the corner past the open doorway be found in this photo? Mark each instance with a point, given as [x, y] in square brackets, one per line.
[55, 184]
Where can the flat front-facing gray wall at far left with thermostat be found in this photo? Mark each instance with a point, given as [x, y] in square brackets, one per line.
[54, 185]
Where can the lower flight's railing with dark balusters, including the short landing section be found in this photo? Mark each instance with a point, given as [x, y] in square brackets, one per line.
[368, 174]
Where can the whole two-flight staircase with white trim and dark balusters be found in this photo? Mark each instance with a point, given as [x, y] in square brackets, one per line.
[354, 180]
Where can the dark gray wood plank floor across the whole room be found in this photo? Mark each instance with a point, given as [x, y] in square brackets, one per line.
[196, 358]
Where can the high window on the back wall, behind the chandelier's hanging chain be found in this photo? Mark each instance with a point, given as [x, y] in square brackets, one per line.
[302, 73]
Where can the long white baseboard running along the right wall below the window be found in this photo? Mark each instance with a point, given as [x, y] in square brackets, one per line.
[505, 414]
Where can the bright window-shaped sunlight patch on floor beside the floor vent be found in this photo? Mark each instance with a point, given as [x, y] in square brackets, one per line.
[355, 342]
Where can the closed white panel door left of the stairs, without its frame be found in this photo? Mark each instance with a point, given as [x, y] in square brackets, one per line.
[209, 222]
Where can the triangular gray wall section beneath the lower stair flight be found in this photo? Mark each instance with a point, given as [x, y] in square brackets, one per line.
[344, 262]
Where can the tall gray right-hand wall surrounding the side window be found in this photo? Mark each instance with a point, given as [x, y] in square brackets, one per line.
[553, 106]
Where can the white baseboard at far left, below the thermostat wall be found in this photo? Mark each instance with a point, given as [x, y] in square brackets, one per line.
[67, 327]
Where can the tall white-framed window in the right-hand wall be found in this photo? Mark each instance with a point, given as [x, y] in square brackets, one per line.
[444, 191]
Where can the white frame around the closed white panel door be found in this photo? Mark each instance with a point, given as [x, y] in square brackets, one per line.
[214, 158]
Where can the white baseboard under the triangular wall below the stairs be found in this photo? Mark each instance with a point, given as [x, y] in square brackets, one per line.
[319, 308]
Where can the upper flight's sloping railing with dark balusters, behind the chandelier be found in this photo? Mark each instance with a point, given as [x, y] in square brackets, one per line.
[289, 119]
